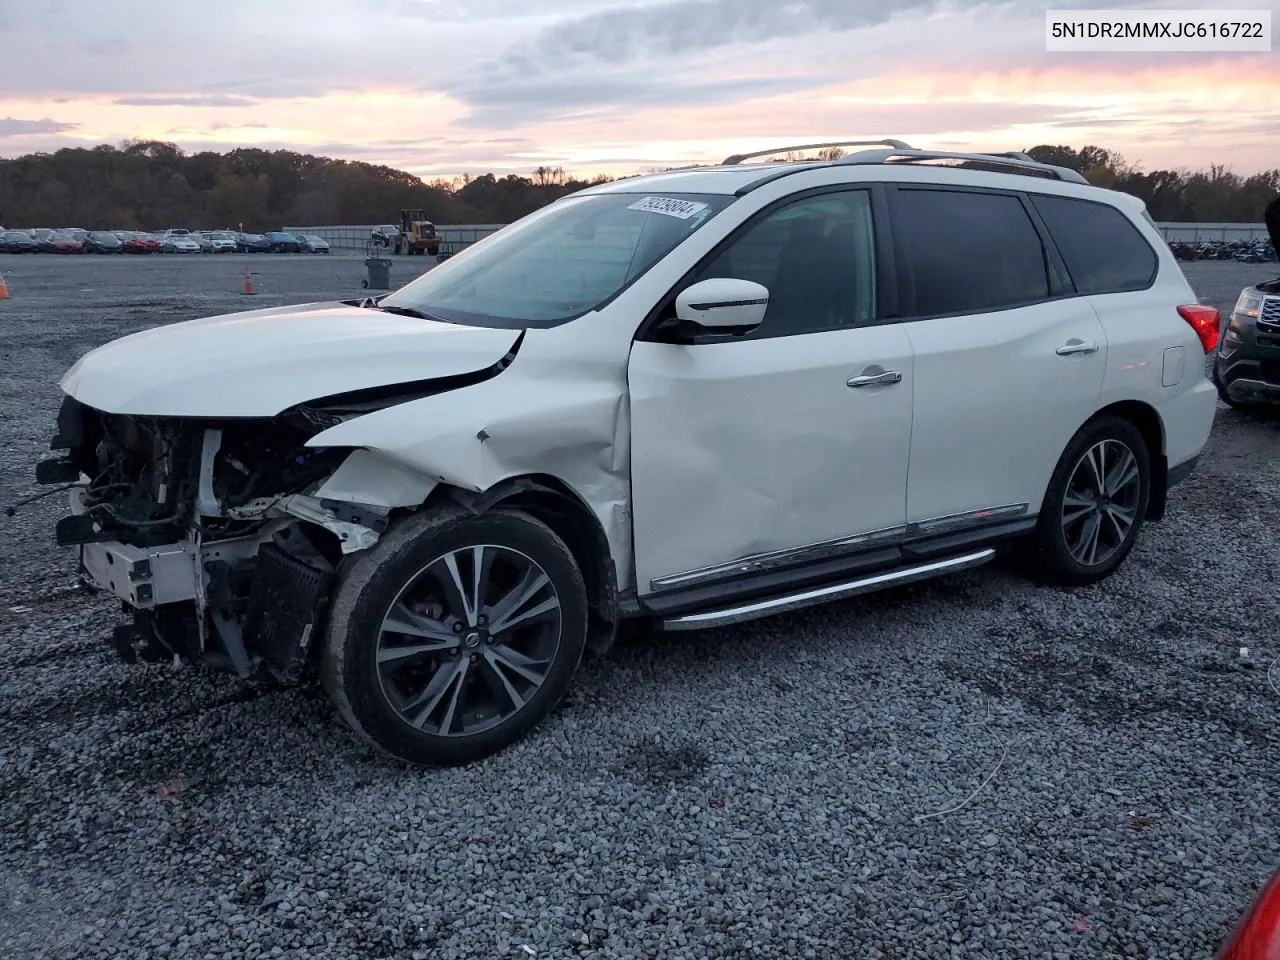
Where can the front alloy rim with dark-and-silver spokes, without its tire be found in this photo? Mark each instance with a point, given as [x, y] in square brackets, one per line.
[469, 641]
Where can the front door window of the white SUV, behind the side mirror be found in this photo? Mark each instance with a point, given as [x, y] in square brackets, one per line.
[817, 258]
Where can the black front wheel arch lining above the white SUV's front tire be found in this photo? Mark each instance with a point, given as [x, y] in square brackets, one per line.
[556, 505]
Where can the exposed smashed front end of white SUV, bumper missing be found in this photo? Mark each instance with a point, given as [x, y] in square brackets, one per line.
[237, 586]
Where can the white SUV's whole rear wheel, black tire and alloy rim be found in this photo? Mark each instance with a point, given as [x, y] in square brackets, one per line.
[1066, 559]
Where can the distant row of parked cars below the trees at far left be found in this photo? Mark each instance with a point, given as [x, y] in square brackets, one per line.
[75, 240]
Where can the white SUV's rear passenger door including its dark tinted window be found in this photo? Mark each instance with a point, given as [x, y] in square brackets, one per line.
[1009, 362]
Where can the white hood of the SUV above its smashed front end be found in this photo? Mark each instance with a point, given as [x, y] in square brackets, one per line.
[263, 362]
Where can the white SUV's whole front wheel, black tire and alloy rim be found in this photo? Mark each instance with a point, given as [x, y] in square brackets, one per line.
[418, 707]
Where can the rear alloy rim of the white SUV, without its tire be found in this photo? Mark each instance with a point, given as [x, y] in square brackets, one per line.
[1101, 502]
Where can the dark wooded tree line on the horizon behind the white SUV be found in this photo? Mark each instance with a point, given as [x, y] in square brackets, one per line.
[152, 185]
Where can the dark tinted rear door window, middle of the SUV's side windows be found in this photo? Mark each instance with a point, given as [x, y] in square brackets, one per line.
[970, 253]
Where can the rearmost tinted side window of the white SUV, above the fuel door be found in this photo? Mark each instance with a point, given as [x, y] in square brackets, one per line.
[1104, 252]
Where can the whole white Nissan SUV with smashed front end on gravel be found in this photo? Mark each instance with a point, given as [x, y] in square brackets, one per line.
[697, 397]
